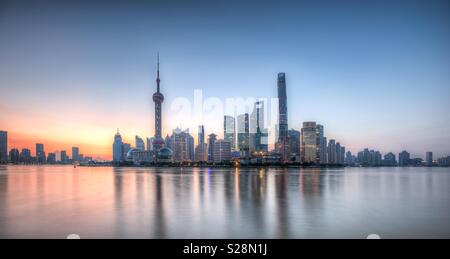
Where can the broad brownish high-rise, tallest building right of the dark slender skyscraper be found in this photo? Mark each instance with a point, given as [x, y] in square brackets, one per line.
[310, 149]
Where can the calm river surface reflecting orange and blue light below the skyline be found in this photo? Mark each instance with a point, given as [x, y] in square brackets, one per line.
[106, 202]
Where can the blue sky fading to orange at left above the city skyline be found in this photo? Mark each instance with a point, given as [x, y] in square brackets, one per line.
[374, 73]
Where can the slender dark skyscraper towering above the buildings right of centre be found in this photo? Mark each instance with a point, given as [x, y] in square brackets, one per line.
[283, 137]
